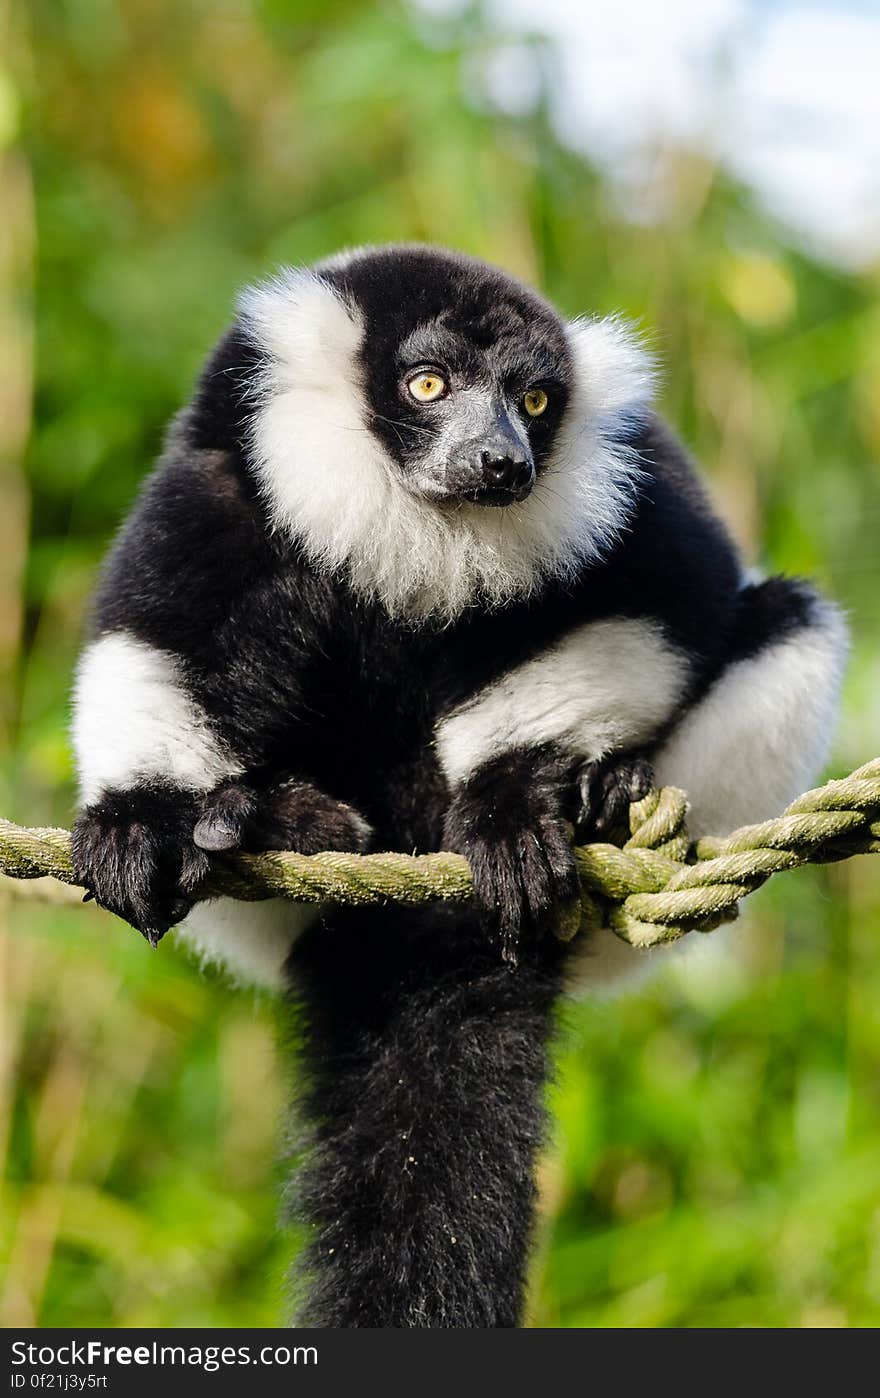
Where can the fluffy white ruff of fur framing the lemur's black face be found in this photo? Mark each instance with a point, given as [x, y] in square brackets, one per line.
[329, 483]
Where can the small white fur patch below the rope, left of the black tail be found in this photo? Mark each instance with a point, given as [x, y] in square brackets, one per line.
[251, 942]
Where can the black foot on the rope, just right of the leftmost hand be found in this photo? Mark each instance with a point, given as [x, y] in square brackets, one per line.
[286, 816]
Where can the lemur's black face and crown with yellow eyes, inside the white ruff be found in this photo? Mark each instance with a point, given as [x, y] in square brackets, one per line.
[467, 377]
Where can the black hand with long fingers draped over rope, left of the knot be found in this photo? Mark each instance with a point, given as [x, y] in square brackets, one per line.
[510, 821]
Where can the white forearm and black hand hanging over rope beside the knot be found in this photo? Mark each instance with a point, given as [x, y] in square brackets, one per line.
[513, 751]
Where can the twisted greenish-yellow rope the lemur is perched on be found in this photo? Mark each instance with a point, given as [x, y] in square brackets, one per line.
[655, 888]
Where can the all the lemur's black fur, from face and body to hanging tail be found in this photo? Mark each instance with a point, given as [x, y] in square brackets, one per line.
[426, 1031]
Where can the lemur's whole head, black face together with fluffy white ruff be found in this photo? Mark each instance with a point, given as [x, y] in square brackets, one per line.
[398, 391]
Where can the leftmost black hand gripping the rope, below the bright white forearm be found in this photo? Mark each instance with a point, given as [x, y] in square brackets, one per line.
[135, 853]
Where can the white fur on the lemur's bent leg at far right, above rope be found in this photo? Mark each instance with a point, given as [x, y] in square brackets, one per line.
[762, 733]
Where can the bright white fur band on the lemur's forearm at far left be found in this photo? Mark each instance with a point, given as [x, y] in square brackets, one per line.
[134, 721]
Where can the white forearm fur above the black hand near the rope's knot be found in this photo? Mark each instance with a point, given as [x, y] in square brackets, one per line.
[611, 684]
